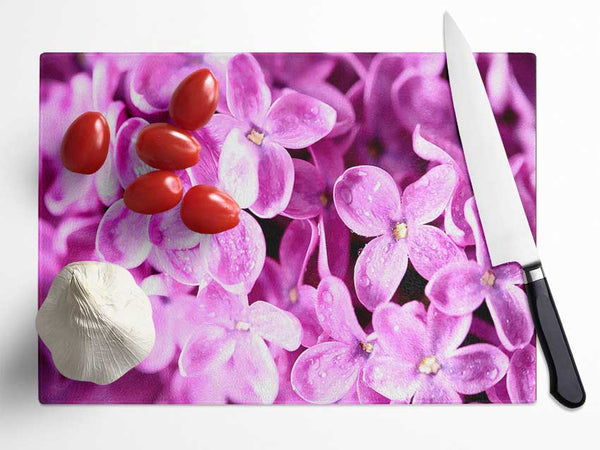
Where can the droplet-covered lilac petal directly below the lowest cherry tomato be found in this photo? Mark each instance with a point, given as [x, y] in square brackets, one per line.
[235, 257]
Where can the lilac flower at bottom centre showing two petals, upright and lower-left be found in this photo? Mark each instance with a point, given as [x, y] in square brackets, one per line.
[328, 371]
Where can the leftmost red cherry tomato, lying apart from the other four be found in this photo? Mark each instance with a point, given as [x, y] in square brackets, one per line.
[85, 144]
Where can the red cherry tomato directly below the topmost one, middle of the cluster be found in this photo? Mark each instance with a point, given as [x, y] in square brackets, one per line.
[166, 147]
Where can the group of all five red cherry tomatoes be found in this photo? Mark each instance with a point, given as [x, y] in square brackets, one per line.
[205, 209]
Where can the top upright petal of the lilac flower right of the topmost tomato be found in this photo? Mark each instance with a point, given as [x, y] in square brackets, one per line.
[248, 96]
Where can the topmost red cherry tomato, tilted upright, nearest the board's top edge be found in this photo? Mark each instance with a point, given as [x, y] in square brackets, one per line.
[195, 100]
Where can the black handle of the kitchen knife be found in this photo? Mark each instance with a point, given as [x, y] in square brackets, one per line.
[565, 383]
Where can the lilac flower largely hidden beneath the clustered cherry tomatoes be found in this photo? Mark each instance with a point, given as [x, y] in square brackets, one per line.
[233, 258]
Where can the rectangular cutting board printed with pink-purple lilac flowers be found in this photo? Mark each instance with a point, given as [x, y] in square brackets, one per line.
[358, 272]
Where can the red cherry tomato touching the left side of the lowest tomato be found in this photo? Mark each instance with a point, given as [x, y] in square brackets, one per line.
[153, 192]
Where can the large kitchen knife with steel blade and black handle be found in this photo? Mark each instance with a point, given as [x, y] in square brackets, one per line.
[503, 219]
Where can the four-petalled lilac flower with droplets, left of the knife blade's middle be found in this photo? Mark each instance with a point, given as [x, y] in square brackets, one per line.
[368, 201]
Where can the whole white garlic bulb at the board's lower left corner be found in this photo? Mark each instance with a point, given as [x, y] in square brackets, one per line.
[96, 321]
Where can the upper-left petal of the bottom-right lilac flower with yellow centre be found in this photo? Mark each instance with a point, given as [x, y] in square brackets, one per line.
[401, 331]
